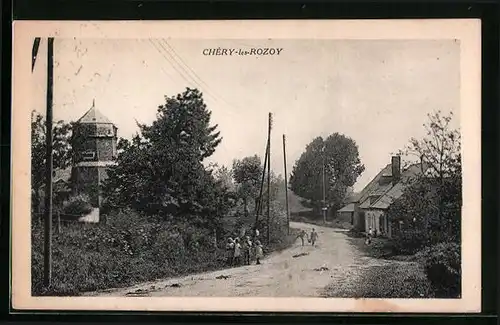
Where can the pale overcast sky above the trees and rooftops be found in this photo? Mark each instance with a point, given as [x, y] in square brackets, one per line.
[376, 92]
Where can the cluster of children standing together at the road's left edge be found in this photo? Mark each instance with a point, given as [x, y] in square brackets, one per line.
[241, 251]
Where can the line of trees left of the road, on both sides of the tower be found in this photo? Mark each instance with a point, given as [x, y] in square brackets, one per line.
[162, 171]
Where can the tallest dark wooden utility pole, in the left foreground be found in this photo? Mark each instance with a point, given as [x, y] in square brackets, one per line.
[47, 257]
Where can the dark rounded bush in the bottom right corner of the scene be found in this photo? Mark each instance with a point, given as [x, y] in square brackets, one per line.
[442, 264]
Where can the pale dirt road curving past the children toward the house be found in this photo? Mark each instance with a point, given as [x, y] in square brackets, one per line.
[333, 260]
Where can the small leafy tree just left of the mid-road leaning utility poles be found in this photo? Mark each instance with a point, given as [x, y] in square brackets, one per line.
[247, 173]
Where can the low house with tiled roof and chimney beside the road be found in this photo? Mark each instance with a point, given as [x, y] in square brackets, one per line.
[388, 185]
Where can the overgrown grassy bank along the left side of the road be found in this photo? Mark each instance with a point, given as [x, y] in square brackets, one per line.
[95, 258]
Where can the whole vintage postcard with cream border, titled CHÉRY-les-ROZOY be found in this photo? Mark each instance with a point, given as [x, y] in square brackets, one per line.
[298, 166]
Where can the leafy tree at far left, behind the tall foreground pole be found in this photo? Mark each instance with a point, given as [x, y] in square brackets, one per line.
[62, 152]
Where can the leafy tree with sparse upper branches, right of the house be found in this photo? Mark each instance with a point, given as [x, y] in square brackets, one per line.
[429, 210]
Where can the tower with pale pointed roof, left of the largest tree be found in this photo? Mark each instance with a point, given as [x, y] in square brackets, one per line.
[94, 149]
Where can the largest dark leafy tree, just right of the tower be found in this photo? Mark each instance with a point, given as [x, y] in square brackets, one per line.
[160, 171]
